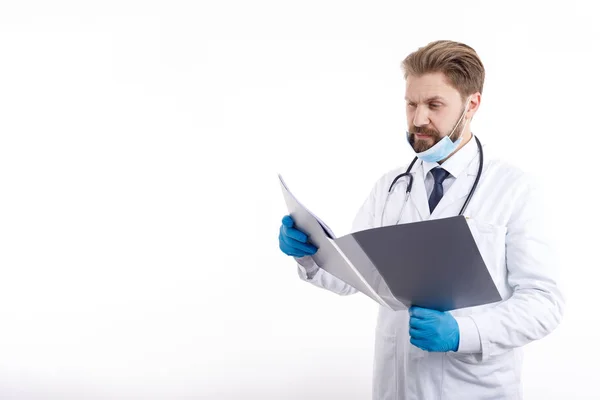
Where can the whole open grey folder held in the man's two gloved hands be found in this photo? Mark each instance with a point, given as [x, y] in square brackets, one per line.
[434, 264]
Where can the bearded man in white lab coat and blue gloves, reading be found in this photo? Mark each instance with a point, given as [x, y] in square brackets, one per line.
[475, 352]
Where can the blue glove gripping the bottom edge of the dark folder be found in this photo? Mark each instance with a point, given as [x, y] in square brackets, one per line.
[433, 330]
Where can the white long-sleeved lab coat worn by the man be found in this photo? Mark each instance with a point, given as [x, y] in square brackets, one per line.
[507, 222]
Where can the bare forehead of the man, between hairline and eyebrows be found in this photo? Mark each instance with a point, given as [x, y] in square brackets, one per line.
[428, 86]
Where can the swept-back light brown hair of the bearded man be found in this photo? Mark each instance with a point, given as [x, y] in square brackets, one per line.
[458, 62]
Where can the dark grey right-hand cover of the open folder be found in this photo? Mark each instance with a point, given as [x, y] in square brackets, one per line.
[434, 264]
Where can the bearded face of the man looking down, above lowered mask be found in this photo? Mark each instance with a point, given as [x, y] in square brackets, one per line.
[433, 108]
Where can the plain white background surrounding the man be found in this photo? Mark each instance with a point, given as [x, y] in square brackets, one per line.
[139, 206]
